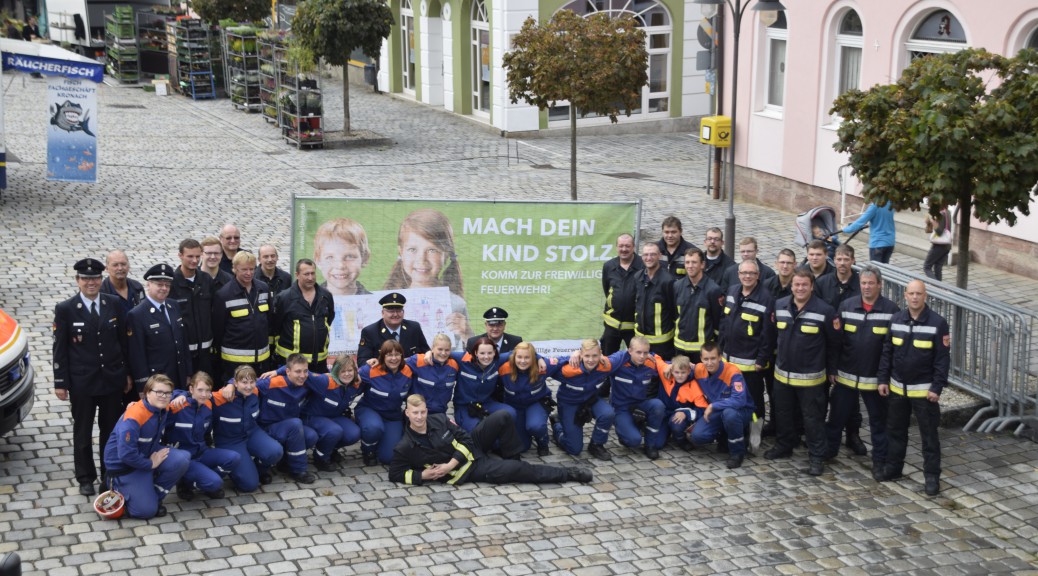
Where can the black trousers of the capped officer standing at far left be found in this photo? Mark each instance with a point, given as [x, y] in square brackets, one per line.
[108, 408]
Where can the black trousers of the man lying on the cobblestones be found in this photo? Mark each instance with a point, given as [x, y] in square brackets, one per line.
[500, 428]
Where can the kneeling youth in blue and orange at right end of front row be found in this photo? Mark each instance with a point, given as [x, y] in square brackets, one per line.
[730, 408]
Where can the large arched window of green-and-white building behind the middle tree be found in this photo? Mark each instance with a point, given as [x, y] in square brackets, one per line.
[655, 20]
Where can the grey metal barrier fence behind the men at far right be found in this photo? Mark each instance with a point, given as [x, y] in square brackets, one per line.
[992, 350]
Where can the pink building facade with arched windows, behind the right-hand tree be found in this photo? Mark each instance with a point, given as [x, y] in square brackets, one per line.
[791, 72]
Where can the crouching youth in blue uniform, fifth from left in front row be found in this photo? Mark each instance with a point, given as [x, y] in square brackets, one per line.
[327, 410]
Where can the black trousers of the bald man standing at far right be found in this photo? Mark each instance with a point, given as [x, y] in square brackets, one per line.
[898, 418]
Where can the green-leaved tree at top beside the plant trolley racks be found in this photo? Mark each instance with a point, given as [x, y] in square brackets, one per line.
[333, 30]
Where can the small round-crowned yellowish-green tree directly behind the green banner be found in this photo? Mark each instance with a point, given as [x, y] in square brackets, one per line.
[598, 64]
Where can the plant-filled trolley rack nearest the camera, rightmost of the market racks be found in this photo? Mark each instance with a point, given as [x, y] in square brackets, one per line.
[301, 104]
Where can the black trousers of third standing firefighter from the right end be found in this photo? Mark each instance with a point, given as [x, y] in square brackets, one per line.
[811, 400]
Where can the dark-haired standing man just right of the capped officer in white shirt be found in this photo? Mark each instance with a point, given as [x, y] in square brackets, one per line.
[194, 293]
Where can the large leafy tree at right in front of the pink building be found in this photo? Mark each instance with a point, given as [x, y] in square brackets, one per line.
[957, 129]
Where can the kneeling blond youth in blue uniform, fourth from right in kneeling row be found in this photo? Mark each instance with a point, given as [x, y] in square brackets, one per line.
[580, 401]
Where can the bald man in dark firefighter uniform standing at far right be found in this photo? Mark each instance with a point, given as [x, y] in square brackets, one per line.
[913, 373]
